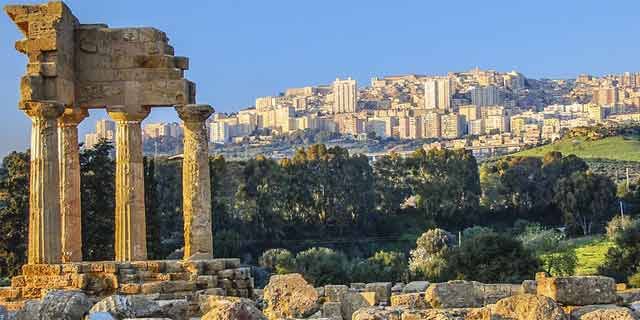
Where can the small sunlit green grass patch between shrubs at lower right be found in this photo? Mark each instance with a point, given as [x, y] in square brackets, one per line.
[590, 252]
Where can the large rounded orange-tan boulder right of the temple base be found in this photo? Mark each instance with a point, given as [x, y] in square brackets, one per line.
[289, 296]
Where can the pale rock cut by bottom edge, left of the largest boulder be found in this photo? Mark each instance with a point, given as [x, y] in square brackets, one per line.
[225, 308]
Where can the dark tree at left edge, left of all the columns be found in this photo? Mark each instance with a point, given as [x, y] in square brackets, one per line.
[14, 212]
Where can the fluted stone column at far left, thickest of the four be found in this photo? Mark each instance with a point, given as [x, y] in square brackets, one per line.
[44, 194]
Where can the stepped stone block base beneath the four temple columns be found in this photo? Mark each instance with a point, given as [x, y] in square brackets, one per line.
[158, 280]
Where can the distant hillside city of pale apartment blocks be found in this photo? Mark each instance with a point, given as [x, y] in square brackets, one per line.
[482, 110]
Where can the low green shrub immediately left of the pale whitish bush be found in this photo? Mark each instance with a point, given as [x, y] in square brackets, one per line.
[388, 266]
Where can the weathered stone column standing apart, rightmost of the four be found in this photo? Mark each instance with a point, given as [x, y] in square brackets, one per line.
[196, 183]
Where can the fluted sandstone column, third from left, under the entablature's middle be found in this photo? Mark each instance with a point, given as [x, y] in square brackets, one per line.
[130, 240]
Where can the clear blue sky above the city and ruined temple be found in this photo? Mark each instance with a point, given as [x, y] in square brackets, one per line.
[242, 49]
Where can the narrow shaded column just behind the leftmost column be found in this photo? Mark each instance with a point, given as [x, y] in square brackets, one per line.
[70, 183]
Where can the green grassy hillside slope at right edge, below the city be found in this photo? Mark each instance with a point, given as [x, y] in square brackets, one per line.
[625, 148]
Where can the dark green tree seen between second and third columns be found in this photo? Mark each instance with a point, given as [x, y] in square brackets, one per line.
[97, 180]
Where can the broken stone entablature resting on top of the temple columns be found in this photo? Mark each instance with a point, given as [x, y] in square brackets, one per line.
[94, 66]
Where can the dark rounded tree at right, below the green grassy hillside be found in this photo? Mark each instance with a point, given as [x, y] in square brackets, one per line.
[585, 199]
